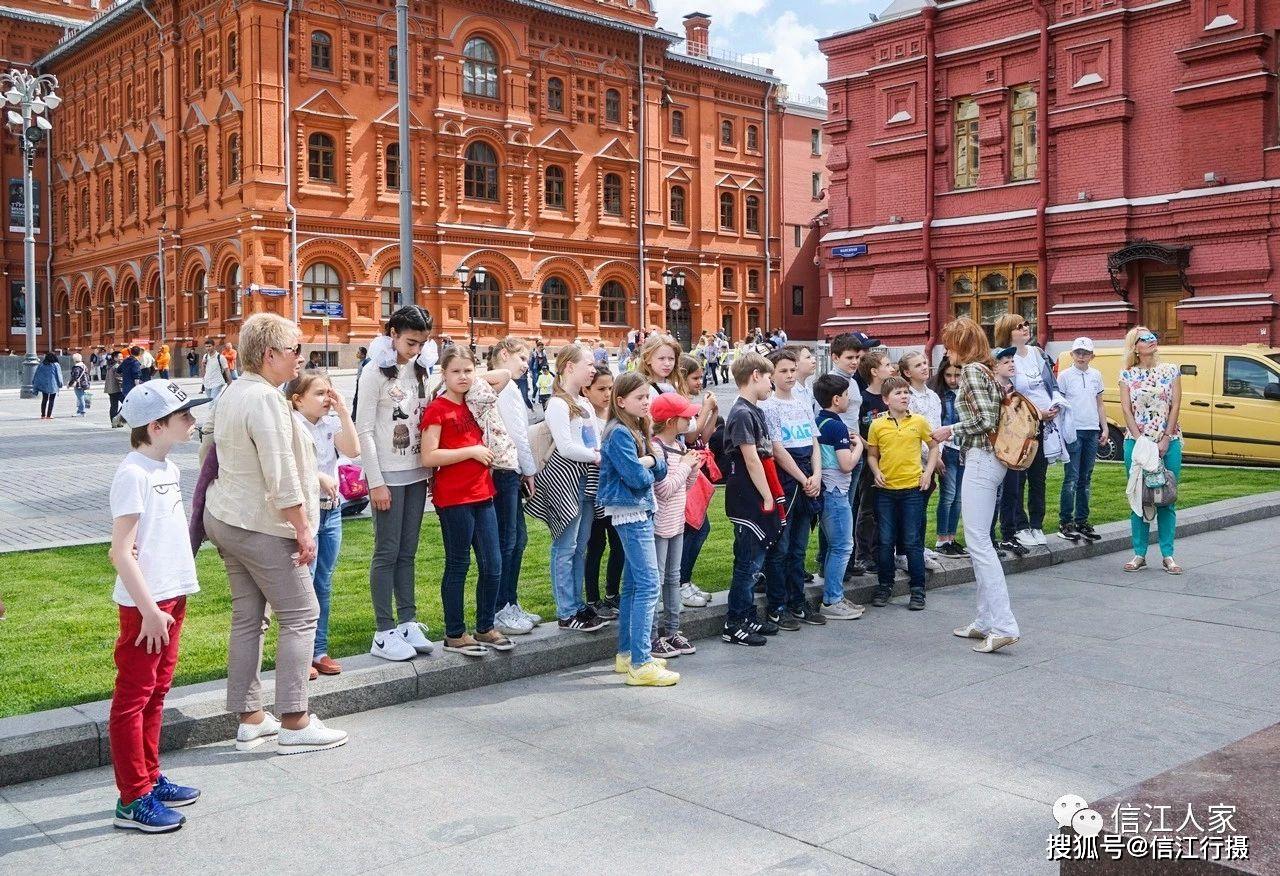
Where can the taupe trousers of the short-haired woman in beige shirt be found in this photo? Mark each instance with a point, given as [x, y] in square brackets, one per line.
[262, 574]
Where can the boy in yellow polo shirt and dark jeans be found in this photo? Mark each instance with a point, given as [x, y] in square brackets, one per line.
[894, 454]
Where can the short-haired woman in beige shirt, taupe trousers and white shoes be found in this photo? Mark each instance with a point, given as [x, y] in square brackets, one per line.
[262, 513]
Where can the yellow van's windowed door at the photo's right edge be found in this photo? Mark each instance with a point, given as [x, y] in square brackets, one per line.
[1246, 421]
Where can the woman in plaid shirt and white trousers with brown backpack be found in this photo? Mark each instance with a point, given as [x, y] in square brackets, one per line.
[979, 405]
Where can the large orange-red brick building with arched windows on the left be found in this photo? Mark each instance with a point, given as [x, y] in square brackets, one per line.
[203, 171]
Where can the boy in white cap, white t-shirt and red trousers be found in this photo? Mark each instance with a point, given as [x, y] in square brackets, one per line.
[152, 592]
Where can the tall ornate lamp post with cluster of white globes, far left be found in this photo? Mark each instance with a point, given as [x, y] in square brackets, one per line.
[28, 98]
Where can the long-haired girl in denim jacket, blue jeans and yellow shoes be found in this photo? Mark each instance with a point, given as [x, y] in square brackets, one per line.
[628, 472]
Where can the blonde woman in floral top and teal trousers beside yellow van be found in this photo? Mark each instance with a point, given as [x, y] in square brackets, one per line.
[1151, 396]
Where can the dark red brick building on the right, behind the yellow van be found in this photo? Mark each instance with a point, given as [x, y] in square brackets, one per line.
[1090, 165]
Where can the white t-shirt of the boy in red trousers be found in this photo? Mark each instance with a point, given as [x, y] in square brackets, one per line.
[149, 489]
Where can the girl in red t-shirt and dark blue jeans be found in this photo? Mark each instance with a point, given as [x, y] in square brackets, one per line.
[463, 494]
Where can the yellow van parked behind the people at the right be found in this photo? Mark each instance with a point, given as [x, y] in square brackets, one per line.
[1231, 401]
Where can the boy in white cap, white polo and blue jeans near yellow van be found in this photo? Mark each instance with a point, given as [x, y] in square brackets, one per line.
[1082, 387]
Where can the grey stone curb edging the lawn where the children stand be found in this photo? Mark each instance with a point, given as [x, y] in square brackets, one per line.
[70, 740]
